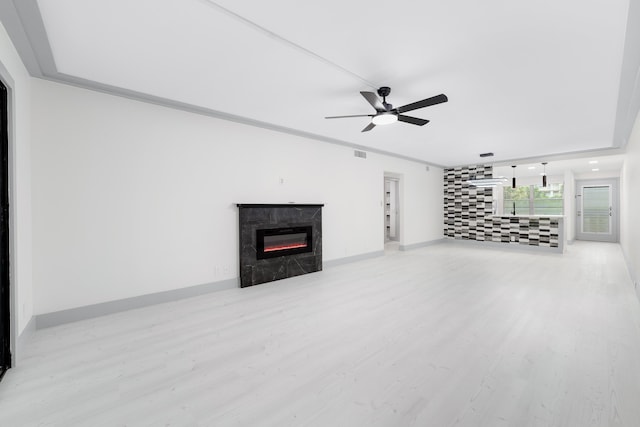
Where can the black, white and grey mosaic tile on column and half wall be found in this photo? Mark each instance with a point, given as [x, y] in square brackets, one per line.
[468, 214]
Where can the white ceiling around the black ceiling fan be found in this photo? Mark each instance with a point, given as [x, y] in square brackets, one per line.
[524, 79]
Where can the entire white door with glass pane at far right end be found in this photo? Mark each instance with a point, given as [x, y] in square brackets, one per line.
[597, 210]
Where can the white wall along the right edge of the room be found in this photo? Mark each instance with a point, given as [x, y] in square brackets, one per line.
[630, 203]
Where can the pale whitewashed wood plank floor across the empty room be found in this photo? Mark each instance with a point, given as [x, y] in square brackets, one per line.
[448, 335]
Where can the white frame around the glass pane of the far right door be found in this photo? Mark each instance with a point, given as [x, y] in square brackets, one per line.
[614, 183]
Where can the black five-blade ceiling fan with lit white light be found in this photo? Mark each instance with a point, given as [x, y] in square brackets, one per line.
[386, 114]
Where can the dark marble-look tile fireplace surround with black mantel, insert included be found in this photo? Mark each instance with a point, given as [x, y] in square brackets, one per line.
[278, 241]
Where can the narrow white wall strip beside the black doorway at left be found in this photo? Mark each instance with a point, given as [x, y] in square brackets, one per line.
[15, 75]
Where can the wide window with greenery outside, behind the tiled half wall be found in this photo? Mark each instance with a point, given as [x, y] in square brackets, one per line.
[533, 200]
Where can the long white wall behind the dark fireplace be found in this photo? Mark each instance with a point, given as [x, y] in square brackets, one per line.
[131, 198]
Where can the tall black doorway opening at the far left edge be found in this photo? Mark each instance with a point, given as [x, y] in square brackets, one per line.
[5, 315]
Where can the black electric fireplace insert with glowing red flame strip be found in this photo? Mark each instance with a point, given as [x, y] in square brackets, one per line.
[275, 242]
